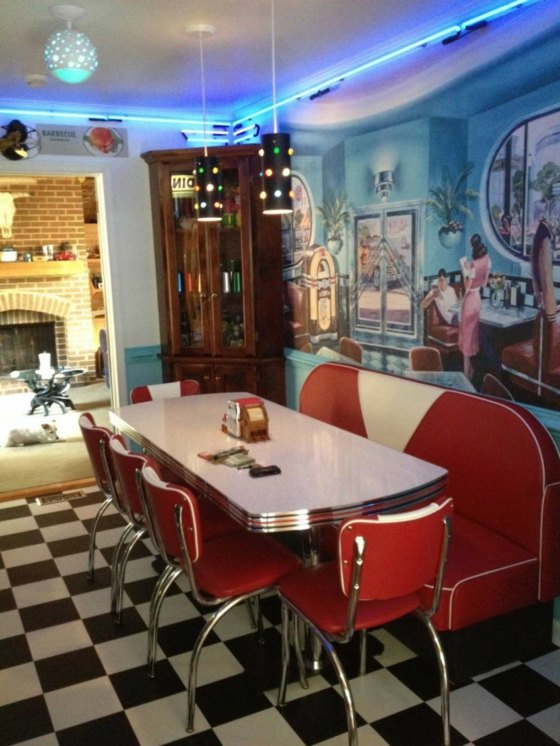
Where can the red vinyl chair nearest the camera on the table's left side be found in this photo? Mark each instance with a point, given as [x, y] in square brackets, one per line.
[222, 572]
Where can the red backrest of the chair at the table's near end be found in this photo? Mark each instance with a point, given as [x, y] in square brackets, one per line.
[403, 550]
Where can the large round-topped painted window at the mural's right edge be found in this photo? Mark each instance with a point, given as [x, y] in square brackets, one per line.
[524, 183]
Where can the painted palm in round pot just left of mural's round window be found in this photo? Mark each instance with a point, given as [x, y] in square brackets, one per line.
[448, 203]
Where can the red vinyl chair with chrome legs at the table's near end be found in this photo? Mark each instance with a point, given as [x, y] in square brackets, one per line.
[387, 566]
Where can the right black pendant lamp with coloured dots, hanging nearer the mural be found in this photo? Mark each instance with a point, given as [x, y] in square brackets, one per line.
[276, 153]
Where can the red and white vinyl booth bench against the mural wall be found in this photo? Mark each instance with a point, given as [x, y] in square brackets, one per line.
[503, 569]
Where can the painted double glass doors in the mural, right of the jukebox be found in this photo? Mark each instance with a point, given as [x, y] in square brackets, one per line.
[386, 256]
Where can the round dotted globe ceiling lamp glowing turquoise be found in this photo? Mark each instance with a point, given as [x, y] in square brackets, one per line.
[69, 55]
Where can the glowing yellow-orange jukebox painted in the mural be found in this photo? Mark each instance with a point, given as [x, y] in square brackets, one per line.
[320, 279]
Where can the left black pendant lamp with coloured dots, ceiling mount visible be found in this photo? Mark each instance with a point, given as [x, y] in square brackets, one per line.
[208, 177]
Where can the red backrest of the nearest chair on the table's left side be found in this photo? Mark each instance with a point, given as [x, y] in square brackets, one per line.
[161, 499]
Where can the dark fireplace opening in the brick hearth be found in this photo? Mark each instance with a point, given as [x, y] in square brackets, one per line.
[20, 345]
